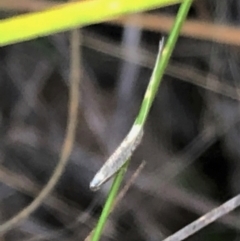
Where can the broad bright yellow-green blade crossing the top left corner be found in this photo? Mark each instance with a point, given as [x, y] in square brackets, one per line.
[70, 15]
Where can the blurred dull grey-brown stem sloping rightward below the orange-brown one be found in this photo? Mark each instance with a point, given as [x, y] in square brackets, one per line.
[180, 71]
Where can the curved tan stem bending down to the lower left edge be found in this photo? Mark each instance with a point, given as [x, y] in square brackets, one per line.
[68, 141]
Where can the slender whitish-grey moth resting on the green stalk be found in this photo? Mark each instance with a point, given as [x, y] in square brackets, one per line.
[119, 157]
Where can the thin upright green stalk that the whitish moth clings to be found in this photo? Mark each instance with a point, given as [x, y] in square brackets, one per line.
[159, 69]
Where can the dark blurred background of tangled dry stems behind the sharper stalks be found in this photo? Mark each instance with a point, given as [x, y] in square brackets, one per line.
[192, 137]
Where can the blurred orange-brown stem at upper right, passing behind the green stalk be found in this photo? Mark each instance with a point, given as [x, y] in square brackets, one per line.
[192, 28]
